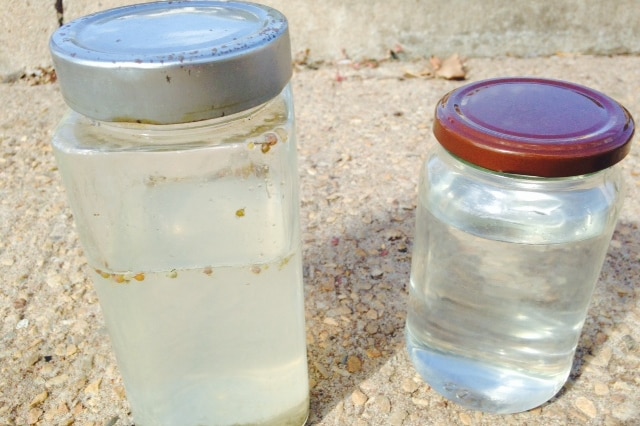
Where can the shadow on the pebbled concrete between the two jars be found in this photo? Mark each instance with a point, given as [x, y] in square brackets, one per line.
[356, 291]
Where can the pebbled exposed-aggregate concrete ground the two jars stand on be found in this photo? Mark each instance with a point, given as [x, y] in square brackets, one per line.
[363, 134]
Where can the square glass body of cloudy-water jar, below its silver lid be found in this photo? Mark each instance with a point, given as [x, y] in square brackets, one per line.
[191, 232]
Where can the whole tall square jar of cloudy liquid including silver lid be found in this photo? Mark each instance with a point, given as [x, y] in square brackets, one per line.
[179, 161]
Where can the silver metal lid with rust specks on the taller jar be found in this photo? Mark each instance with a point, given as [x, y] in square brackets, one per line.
[172, 62]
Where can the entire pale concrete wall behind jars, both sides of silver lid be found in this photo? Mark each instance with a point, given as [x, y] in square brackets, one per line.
[370, 28]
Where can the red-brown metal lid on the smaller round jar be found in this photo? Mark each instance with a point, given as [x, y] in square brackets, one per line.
[534, 127]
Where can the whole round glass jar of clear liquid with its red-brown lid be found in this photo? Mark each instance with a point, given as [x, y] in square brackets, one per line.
[517, 205]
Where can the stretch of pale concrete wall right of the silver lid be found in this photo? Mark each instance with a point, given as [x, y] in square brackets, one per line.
[468, 27]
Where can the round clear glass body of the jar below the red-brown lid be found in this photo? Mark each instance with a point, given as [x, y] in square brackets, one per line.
[503, 270]
